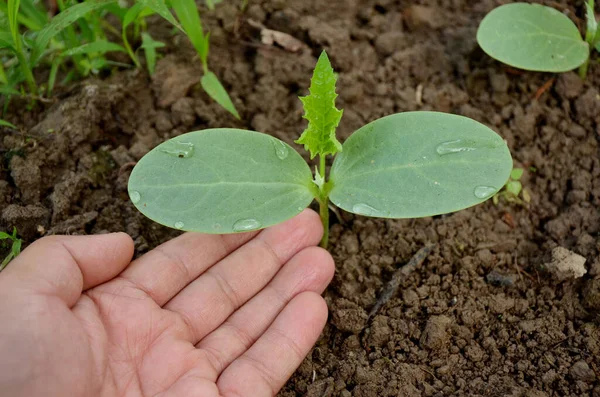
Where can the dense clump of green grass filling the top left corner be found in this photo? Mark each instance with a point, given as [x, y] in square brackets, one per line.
[28, 39]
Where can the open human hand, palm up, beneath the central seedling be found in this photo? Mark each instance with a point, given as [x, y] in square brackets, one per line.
[201, 315]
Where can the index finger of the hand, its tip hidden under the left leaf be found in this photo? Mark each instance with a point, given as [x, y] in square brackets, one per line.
[168, 268]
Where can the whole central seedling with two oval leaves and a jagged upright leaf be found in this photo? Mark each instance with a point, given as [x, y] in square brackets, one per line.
[406, 165]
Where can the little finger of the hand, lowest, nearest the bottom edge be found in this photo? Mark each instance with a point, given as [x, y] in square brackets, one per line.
[269, 363]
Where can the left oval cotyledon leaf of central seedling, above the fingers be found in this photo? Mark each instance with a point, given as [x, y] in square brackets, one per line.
[221, 181]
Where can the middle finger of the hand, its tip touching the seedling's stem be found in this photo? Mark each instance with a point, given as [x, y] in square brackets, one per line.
[209, 300]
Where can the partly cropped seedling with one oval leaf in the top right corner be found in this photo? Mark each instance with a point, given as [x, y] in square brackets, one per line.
[538, 38]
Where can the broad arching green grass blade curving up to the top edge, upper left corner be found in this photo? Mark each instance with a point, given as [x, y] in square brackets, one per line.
[62, 21]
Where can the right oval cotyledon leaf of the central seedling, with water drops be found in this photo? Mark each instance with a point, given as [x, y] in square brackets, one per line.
[417, 164]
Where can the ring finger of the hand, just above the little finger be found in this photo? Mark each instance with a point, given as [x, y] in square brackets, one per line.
[310, 270]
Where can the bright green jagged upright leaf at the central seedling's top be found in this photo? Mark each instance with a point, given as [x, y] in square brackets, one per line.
[320, 111]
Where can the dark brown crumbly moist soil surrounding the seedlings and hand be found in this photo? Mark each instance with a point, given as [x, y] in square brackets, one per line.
[448, 331]
